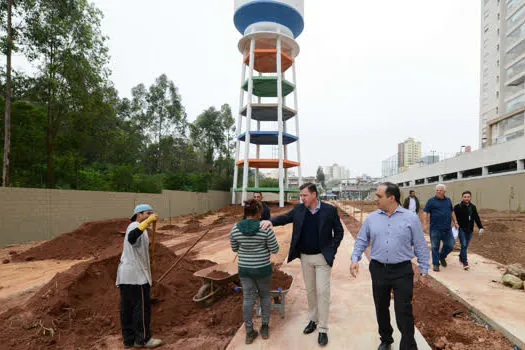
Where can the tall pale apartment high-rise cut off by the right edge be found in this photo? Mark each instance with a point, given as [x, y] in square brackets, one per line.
[502, 99]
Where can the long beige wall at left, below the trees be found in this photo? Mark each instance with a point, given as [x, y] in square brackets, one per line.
[28, 214]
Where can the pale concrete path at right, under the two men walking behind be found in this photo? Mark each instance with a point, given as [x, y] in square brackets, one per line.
[480, 290]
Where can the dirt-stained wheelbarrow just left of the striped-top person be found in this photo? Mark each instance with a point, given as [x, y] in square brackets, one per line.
[212, 285]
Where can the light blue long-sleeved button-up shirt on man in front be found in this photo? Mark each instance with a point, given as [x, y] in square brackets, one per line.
[395, 238]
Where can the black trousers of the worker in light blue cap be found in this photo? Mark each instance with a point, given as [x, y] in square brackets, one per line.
[135, 313]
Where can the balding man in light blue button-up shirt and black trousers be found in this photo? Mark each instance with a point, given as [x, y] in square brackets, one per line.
[396, 236]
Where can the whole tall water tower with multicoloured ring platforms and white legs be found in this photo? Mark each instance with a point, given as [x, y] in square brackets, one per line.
[269, 51]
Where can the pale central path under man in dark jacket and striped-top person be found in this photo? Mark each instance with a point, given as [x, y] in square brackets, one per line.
[352, 314]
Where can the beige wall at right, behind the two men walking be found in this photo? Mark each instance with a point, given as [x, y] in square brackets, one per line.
[501, 192]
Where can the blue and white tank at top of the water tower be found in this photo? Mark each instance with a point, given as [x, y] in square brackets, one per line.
[288, 13]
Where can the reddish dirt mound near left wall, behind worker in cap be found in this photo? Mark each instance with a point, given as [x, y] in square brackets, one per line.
[87, 241]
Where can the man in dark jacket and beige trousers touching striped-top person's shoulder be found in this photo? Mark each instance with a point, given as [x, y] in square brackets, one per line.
[317, 233]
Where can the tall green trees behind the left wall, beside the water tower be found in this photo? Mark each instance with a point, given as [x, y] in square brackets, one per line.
[66, 127]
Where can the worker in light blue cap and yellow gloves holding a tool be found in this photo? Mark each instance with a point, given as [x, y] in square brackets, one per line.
[134, 281]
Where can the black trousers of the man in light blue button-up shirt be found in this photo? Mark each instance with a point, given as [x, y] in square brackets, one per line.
[400, 279]
